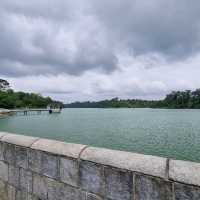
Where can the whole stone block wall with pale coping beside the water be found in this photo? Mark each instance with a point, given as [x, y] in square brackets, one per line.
[41, 169]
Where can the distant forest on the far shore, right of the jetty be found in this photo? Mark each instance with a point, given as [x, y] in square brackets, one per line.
[176, 99]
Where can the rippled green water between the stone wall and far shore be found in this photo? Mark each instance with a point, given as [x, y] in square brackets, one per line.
[168, 133]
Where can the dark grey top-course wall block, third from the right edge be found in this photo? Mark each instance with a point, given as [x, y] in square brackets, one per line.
[119, 185]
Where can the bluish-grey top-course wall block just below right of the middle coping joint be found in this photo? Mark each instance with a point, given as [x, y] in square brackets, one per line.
[91, 177]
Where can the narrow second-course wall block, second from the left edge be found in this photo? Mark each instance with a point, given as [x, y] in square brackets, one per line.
[13, 176]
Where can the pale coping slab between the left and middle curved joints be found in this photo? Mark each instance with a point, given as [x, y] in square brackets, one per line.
[57, 147]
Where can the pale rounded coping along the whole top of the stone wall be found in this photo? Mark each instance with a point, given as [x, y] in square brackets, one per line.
[176, 170]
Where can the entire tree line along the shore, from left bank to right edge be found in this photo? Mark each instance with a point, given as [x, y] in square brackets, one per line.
[176, 99]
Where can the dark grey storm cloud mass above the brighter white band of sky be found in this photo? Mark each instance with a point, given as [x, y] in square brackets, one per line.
[54, 37]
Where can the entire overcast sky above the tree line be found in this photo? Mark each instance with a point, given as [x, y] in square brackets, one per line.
[96, 49]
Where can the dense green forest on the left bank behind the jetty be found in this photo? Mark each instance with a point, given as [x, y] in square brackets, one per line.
[10, 99]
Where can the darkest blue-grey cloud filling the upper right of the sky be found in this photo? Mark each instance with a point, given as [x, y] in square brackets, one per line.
[165, 26]
